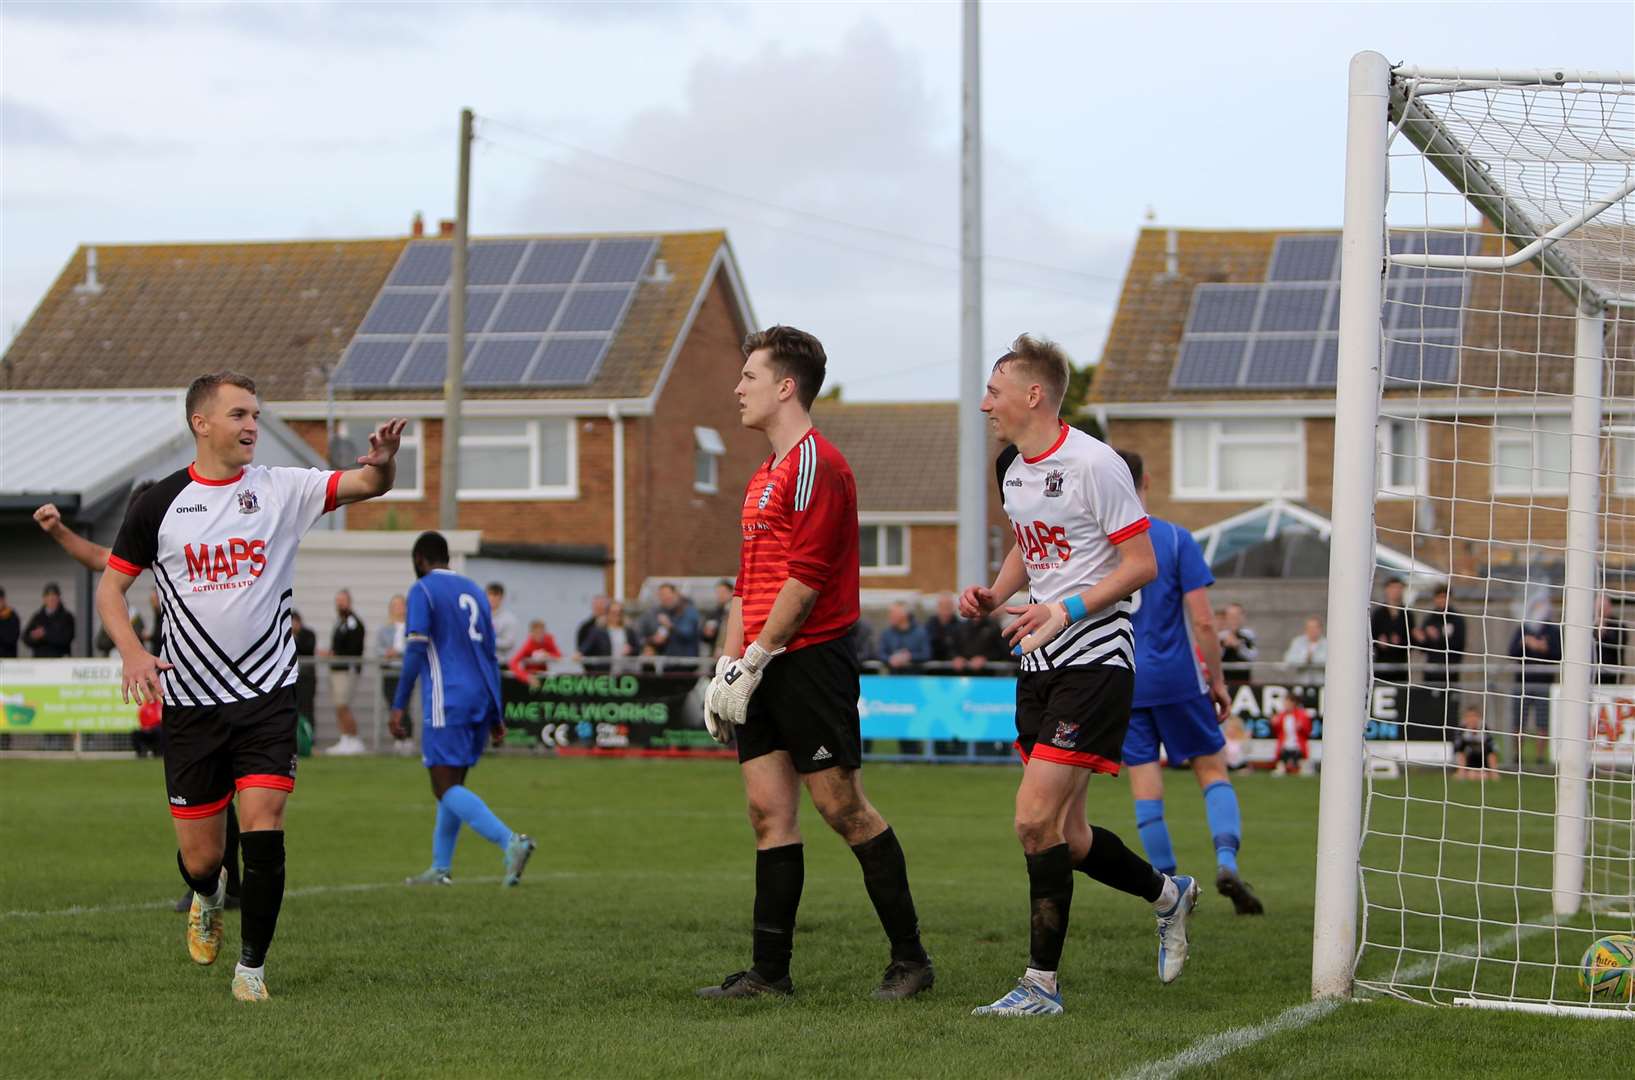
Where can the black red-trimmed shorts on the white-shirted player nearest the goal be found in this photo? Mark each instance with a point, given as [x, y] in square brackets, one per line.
[1075, 716]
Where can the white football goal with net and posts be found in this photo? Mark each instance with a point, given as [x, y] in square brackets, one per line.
[1487, 385]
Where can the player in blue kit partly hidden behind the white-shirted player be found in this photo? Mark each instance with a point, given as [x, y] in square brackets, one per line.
[1175, 705]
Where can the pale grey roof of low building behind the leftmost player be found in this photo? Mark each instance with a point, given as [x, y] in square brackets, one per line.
[83, 449]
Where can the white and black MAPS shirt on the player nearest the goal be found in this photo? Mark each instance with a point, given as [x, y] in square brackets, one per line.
[1072, 507]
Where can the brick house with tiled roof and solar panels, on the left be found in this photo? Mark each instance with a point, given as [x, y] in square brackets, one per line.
[599, 422]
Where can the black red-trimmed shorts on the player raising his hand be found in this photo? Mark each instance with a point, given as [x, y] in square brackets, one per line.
[215, 751]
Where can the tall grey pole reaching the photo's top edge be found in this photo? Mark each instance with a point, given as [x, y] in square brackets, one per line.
[974, 491]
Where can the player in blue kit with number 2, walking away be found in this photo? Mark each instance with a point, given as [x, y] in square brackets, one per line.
[450, 653]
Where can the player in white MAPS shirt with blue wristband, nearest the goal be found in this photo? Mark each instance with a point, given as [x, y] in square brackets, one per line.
[1082, 551]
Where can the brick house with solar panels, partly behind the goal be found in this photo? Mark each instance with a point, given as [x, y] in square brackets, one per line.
[1221, 368]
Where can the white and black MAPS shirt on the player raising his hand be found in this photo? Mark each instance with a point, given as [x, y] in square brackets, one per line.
[223, 560]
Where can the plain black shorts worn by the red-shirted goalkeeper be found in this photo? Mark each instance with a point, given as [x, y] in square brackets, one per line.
[807, 707]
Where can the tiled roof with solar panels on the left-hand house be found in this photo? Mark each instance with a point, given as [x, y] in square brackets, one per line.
[293, 313]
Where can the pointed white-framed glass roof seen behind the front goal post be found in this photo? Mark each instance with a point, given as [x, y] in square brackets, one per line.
[1289, 542]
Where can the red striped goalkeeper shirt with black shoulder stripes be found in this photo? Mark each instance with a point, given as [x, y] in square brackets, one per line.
[800, 522]
